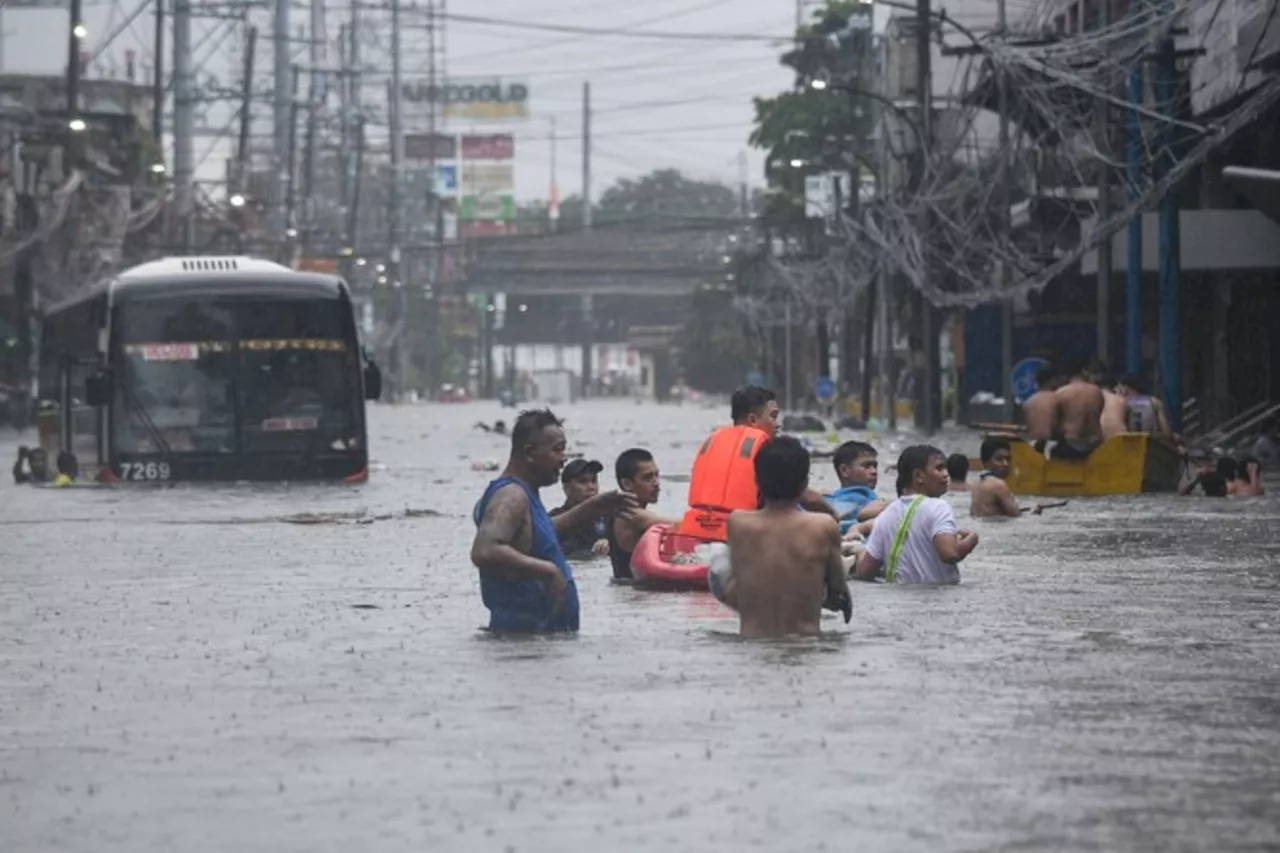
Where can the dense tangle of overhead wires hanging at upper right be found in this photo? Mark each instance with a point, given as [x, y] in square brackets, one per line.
[948, 234]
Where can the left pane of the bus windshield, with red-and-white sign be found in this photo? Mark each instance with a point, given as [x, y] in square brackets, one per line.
[176, 382]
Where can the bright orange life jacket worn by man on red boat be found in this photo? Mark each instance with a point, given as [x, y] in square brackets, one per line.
[724, 481]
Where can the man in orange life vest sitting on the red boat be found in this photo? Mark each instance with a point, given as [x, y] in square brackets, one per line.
[724, 478]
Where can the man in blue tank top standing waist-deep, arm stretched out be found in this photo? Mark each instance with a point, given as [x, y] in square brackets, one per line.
[525, 581]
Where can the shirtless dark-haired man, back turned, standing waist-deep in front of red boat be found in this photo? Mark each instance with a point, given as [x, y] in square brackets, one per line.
[787, 562]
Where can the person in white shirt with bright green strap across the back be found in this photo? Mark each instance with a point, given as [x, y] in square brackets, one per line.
[916, 539]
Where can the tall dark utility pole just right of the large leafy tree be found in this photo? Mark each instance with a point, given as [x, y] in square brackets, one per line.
[930, 418]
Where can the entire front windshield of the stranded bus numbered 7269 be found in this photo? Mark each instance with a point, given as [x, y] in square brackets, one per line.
[234, 376]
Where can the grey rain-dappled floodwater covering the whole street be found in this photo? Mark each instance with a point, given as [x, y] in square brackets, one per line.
[184, 670]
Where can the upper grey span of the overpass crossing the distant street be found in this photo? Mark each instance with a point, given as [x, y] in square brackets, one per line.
[616, 259]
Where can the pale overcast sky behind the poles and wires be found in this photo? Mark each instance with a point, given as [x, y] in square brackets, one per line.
[659, 102]
